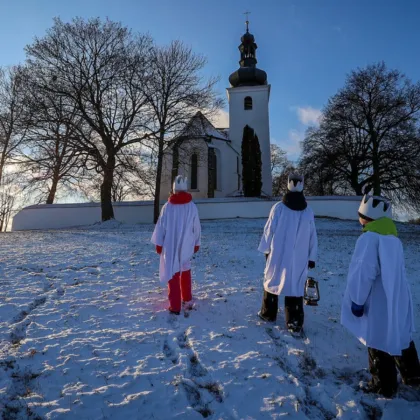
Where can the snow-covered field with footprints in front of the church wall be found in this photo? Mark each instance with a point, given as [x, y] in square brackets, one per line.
[85, 334]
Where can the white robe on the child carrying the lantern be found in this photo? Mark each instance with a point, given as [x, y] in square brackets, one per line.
[290, 239]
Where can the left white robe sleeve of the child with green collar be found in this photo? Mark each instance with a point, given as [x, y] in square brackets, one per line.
[364, 269]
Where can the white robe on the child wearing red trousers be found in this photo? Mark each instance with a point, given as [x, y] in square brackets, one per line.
[177, 231]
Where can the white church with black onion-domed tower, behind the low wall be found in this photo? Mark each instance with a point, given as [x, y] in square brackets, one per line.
[211, 156]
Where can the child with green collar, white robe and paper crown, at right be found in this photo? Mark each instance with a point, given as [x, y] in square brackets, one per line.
[377, 306]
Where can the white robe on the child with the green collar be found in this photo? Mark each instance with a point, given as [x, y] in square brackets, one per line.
[377, 280]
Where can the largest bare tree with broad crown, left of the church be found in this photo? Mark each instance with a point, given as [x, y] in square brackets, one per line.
[97, 67]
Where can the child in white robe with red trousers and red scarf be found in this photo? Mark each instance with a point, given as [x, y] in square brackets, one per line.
[177, 237]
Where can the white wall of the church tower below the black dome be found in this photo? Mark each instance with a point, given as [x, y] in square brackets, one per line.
[257, 118]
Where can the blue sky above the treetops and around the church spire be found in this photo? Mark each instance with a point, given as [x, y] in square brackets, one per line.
[306, 46]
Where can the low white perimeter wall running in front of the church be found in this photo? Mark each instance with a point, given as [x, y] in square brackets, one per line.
[59, 216]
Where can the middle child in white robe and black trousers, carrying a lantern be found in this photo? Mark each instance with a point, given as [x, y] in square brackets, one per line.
[290, 245]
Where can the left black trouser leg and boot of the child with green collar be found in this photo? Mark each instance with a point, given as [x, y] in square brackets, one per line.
[384, 373]
